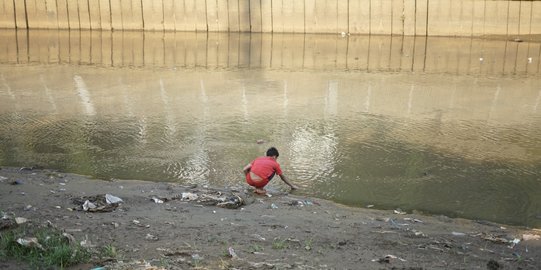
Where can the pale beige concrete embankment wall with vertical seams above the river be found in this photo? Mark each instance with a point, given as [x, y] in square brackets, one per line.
[397, 17]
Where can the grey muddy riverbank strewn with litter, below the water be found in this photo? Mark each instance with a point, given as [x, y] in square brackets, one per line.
[157, 224]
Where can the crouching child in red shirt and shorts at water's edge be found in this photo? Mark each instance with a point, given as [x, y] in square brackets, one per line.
[261, 170]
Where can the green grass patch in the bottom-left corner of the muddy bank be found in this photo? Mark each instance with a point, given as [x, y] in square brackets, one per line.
[54, 249]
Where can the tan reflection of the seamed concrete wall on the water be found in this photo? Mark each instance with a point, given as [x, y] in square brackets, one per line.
[455, 55]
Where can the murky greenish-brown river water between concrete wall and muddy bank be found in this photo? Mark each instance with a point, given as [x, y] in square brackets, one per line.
[446, 126]
